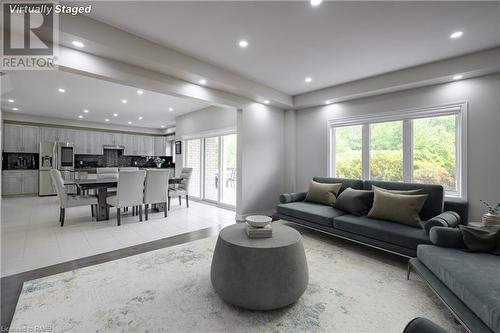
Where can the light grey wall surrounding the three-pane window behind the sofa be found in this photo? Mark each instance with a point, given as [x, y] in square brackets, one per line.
[483, 95]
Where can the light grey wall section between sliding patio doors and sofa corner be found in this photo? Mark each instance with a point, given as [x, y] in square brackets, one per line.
[261, 154]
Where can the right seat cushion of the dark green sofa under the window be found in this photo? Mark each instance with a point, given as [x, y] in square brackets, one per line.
[390, 232]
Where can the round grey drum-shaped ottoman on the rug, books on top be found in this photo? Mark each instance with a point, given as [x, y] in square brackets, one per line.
[259, 274]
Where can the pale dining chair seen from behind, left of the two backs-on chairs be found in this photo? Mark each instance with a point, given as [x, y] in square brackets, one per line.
[129, 193]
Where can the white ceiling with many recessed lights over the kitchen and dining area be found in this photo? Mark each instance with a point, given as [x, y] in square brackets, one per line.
[36, 93]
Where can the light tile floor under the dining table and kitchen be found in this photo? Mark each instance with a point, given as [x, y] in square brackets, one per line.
[32, 238]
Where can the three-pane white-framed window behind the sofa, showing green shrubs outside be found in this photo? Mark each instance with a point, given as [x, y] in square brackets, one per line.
[423, 146]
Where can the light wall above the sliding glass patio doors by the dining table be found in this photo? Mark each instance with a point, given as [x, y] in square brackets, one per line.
[207, 119]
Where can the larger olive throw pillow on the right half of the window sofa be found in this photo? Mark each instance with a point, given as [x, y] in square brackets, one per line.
[400, 208]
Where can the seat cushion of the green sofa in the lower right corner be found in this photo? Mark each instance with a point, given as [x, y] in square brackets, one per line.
[472, 277]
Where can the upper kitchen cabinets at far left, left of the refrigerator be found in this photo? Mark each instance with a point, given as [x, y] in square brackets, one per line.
[19, 138]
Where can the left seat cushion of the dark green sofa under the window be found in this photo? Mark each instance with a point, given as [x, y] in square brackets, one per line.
[309, 211]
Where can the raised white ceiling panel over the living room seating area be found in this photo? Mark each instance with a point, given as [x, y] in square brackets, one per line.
[334, 43]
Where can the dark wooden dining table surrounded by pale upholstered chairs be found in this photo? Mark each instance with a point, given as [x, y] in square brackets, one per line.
[101, 185]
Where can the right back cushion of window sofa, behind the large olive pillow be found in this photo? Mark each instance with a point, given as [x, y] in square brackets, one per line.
[433, 206]
